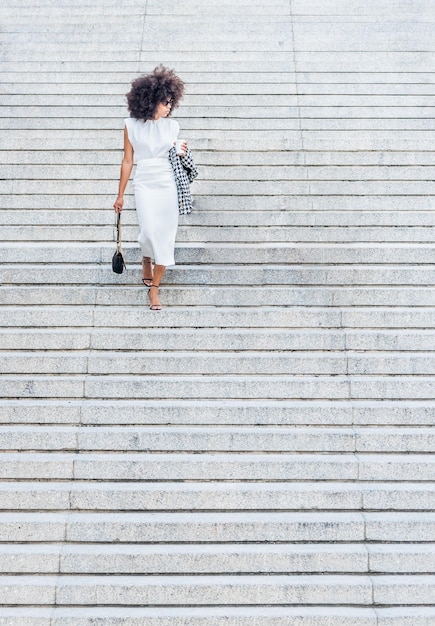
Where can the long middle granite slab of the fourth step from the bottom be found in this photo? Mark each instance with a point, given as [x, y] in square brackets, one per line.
[230, 527]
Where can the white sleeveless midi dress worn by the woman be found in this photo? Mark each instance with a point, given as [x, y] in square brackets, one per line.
[155, 188]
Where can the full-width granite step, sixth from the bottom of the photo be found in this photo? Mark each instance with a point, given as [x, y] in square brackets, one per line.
[217, 466]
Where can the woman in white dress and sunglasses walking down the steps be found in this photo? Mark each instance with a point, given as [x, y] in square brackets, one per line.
[148, 137]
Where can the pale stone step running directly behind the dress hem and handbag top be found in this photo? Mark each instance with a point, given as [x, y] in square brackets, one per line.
[227, 253]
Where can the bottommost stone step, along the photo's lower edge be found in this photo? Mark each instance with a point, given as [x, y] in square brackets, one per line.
[215, 616]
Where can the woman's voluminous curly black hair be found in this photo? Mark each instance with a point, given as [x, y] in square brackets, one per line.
[149, 90]
